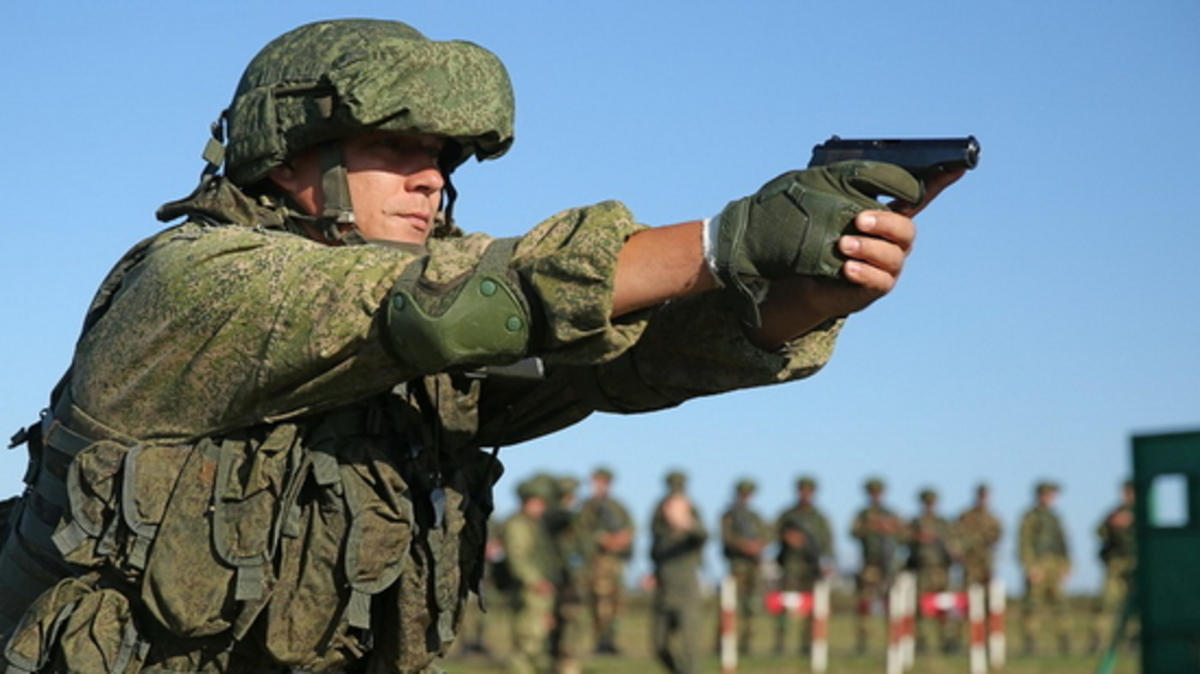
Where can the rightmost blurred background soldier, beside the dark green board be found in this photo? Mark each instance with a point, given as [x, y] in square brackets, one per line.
[1119, 552]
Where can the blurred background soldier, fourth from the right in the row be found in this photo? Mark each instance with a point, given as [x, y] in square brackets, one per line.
[932, 552]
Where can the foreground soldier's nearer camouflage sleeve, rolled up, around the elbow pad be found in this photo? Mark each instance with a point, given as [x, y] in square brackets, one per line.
[223, 328]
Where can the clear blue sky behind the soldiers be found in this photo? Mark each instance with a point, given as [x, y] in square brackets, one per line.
[1048, 315]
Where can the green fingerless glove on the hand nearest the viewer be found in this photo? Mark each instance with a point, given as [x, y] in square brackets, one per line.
[791, 226]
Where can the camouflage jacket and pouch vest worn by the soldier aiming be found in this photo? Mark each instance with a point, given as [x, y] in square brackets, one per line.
[231, 386]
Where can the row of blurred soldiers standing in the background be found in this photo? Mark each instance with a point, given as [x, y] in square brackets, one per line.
[567, 563]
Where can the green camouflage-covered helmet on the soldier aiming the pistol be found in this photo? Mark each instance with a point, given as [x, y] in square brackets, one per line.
[332, 80]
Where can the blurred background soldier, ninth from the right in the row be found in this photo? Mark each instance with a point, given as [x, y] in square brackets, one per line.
[609, 529]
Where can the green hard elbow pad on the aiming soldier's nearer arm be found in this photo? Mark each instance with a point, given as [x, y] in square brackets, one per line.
[479, 318]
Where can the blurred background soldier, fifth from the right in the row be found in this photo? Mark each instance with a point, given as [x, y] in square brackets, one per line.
[879, 532]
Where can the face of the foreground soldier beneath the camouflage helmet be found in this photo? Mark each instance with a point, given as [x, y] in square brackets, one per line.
[395, 184]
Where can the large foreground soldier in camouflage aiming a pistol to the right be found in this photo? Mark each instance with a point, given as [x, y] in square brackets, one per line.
[308, 342]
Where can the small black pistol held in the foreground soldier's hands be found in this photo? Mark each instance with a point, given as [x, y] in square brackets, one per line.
[923, 158]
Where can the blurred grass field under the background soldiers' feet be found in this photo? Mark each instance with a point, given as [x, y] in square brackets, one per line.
[637, 652]
